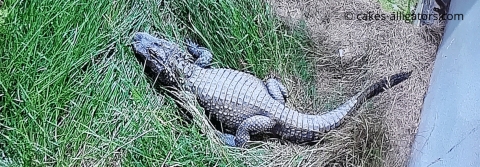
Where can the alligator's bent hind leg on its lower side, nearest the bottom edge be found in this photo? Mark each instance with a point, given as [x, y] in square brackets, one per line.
[251, 126]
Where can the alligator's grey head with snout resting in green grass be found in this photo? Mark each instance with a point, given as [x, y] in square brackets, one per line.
[158, 56]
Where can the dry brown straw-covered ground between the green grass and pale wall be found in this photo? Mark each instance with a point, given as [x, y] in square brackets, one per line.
[349, 55]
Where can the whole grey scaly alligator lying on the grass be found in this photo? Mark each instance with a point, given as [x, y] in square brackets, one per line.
[241, 102]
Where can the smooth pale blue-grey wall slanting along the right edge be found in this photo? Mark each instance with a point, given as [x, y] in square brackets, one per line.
[449, 131]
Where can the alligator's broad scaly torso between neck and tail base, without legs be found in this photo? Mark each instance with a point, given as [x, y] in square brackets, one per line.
[230, 96]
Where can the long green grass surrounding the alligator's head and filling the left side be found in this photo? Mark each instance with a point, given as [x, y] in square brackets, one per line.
[72, 93]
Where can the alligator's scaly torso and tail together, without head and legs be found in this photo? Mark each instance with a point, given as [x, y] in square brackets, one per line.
[231, 97]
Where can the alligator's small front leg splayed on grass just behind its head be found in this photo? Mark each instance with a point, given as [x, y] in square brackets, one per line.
[202, 55]
